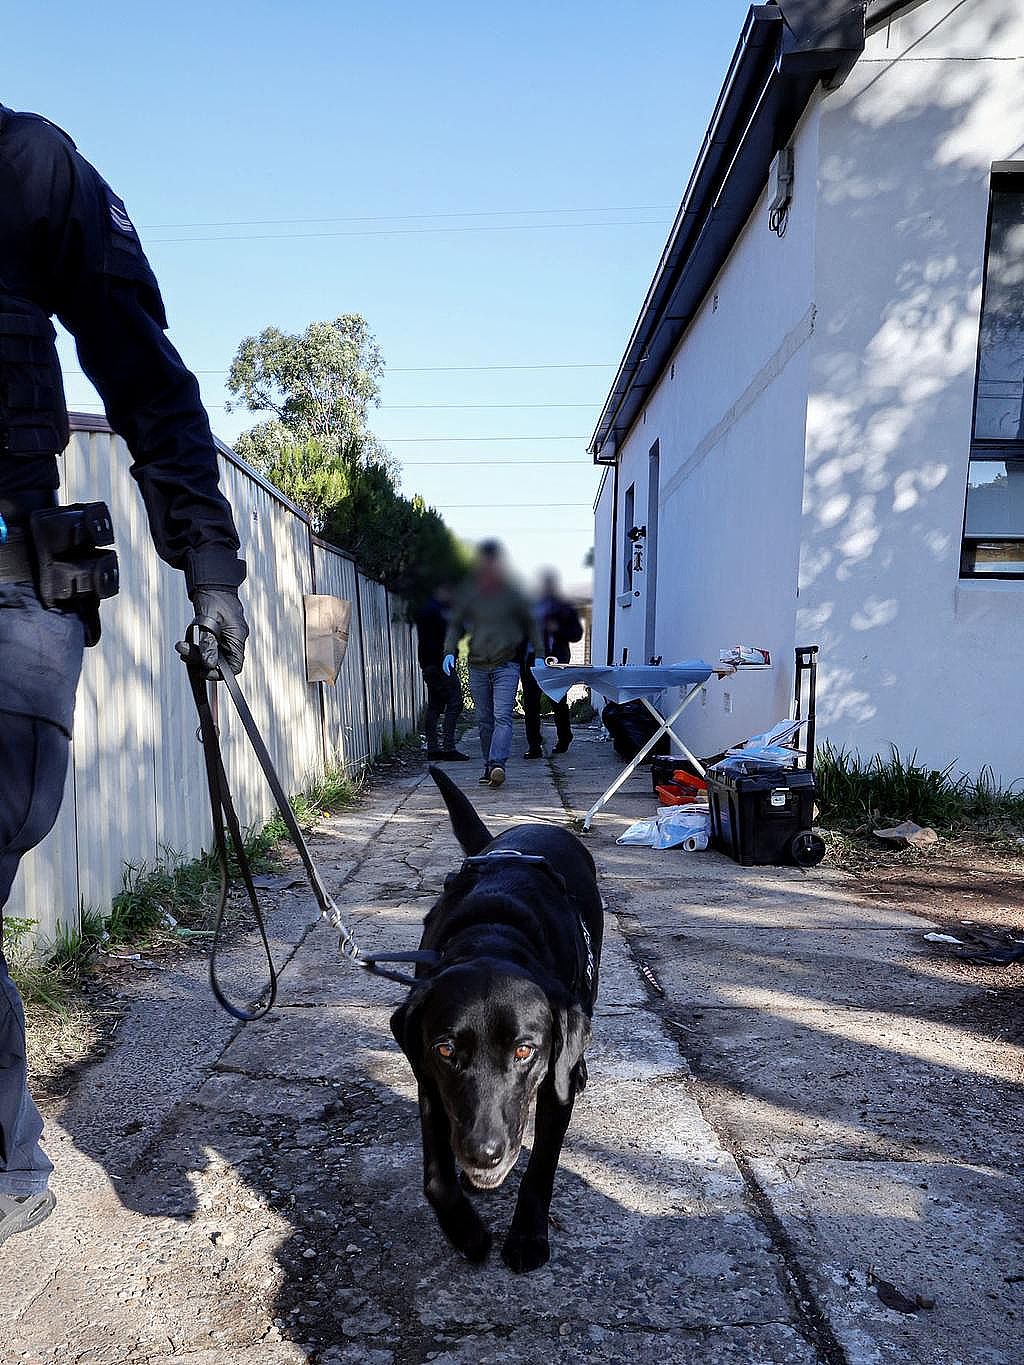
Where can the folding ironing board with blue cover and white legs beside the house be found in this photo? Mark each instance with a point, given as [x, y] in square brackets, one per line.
[644, 683]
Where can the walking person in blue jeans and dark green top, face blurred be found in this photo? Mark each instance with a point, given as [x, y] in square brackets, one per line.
[498, 618]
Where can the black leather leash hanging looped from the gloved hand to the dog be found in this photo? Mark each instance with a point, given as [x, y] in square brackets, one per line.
[226, 824]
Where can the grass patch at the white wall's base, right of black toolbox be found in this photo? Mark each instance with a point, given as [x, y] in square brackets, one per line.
[859, 795]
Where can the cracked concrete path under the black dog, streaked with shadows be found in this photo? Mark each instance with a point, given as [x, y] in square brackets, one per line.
[803, 1097]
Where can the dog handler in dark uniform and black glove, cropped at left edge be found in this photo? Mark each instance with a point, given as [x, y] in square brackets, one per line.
[68, 248]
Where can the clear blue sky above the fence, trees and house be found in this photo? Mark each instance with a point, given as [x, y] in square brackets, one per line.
[491, 189]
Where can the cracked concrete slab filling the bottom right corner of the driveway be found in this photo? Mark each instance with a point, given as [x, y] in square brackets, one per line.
[950, 1233]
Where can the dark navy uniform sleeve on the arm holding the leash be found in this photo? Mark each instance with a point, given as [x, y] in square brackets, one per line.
[107, 296]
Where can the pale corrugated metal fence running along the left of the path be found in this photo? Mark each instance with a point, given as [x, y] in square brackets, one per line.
[136, 790]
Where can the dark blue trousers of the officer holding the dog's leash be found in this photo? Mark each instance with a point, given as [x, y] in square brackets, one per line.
[43, 657]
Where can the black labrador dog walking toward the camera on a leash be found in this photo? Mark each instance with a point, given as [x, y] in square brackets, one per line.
[502, 1018]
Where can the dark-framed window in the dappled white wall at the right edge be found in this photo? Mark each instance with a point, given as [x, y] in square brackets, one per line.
[995, 517]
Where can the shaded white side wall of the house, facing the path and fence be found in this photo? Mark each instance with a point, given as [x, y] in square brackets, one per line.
[731, 431]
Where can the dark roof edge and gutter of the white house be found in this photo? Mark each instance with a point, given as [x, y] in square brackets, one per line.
[786, 51]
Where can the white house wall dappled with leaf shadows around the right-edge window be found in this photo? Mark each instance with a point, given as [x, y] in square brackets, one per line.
[911, 655]
